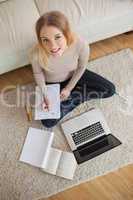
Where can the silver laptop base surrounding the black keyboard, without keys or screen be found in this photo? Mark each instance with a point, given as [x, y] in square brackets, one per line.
[82, 121]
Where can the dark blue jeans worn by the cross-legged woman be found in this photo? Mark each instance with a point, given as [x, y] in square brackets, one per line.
[89, 86]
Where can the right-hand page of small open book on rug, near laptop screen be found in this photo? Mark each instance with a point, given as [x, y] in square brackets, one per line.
[67, 165]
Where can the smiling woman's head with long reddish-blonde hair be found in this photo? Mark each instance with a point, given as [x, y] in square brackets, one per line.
[53, 33]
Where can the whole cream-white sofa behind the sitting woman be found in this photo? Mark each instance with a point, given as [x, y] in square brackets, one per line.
[93, 19]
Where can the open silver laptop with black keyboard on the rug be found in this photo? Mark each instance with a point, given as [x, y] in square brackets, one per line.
[88, 135]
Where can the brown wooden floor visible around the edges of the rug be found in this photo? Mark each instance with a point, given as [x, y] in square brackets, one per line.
[117, 185]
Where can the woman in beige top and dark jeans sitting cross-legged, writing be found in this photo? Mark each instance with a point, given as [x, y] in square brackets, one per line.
[61, 57]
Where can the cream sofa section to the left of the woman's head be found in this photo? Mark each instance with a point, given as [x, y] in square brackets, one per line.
[17, 34]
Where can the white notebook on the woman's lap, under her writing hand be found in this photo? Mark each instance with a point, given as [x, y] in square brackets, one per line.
[53, 93]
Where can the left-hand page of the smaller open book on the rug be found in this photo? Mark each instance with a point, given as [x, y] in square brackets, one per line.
[52, 161]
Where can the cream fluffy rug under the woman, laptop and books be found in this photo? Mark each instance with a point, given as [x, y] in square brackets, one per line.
[19, 181]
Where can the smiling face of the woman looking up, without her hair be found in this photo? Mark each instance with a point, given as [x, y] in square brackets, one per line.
[53, 40]
